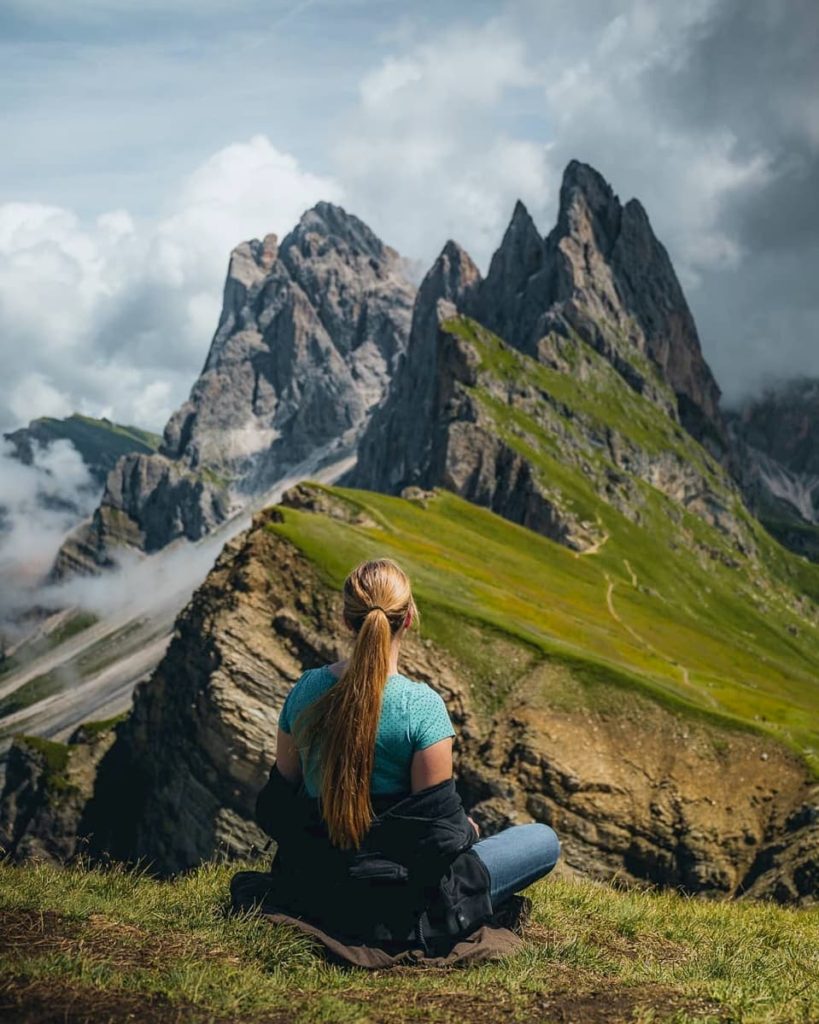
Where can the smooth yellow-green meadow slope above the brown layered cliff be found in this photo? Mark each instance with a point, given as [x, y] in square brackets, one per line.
[692, 639]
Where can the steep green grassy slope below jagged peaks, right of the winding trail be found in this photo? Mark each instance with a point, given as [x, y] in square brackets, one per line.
[754, 602]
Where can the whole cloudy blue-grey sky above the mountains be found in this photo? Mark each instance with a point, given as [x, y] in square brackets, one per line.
[143, 141]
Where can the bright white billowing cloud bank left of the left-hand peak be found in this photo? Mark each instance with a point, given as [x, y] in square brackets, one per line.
[114, 317]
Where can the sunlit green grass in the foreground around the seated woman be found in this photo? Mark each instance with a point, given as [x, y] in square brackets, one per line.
[103, 945]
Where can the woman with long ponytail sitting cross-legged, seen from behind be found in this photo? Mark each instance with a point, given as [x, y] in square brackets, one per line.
[373, 838]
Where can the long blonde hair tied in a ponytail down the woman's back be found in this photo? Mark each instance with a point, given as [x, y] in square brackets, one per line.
[343, 722]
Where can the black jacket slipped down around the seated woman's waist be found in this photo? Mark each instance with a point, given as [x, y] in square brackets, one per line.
[414, 881]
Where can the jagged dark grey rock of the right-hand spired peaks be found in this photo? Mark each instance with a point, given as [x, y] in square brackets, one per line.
[597, 296]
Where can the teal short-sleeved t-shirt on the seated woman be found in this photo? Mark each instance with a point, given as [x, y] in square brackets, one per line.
[413, 716]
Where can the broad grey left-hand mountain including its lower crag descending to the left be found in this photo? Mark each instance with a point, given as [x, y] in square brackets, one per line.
[310, 335]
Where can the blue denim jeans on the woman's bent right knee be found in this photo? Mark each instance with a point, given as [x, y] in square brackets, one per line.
[516, 858]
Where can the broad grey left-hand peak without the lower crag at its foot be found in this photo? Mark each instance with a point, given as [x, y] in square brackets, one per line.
[310, 335]
